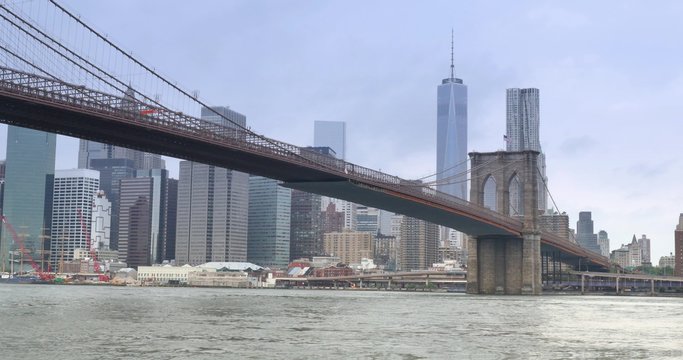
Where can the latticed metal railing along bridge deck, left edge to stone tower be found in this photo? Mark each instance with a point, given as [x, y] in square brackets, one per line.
[133, 110]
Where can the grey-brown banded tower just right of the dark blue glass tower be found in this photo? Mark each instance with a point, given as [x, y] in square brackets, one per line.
[135, 221]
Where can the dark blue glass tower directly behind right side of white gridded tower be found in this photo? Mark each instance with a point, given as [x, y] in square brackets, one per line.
[112, 171]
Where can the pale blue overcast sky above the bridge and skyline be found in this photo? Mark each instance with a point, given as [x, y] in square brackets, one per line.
[609, 74]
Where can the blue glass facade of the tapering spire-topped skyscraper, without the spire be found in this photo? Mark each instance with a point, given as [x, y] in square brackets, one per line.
[451, 137]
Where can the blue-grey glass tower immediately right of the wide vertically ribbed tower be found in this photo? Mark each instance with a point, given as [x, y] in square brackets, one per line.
[269, 222]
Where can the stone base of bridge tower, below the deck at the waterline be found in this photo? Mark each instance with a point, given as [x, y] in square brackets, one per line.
[504, 265]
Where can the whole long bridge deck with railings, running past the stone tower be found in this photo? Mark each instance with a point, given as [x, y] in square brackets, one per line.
[46, 104]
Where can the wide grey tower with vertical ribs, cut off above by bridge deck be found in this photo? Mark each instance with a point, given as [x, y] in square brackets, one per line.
[212, 217]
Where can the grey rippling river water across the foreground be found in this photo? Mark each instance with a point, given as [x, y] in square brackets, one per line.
[88, 322]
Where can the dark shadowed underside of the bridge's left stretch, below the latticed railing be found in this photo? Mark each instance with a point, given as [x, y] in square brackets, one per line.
[109, 129]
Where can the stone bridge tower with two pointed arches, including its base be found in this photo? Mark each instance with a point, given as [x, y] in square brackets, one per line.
[506, 182]
